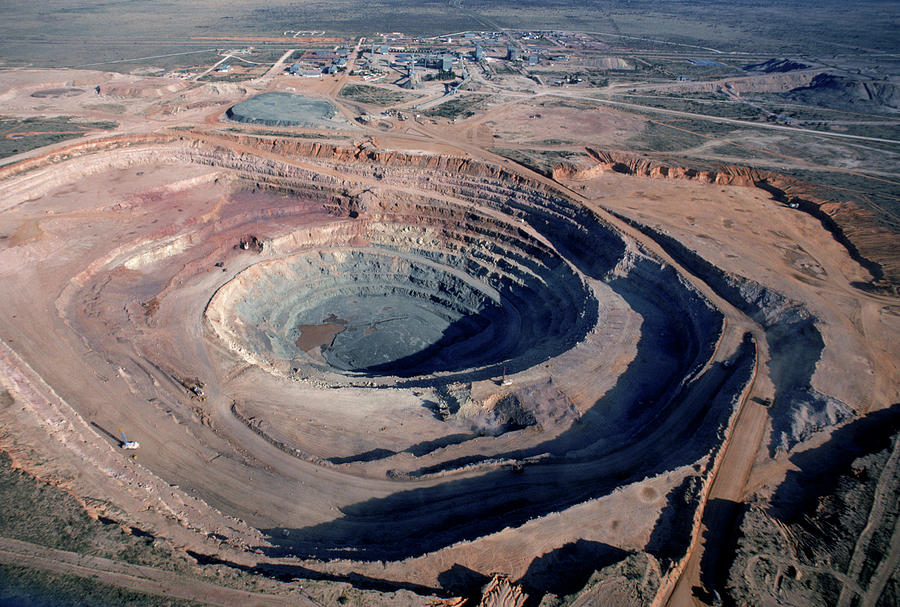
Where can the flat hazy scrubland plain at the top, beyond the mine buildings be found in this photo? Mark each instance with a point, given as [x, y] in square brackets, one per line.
[783, 27]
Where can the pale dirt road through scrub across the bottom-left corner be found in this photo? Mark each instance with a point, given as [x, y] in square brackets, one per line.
[139, 578]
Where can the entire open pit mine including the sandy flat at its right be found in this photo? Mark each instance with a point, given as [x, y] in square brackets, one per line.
[410, 371]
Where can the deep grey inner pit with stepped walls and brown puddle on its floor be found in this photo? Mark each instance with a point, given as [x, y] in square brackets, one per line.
[405, 312]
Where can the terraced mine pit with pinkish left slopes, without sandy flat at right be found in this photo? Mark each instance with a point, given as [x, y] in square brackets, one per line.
[417, 367]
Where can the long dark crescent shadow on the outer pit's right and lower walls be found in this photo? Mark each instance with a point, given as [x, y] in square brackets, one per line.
[649, 422]
